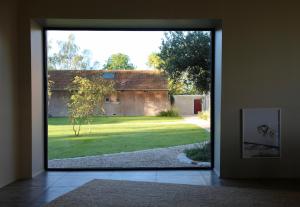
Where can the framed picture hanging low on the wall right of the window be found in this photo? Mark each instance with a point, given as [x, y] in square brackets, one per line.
[261, 132]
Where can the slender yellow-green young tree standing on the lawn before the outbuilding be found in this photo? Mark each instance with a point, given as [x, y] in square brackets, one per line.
[86, 96]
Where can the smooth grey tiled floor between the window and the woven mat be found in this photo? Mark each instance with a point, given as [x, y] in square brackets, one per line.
[50, 185]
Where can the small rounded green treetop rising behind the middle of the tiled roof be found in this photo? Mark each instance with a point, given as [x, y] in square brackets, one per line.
[118, 61]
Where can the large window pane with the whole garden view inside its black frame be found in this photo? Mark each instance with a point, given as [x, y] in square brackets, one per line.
[128, 99]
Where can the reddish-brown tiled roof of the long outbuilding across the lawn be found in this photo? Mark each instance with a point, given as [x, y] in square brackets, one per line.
[125, 79]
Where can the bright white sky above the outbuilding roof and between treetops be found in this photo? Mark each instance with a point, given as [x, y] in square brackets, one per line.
[138, 45]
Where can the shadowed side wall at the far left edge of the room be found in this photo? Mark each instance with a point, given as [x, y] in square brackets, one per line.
[8, 92]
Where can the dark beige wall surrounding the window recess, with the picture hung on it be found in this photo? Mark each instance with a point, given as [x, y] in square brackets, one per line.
[260, 60]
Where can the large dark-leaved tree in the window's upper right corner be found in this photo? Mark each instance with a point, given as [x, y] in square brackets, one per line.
[186, 57]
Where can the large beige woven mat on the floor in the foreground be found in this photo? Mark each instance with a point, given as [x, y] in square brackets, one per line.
[102, 193]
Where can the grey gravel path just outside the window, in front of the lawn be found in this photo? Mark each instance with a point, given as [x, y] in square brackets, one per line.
[156, 158]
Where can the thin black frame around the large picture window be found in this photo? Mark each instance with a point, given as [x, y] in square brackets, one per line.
[212, 95]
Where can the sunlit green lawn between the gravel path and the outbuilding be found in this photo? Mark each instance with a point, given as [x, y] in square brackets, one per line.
[119, 134]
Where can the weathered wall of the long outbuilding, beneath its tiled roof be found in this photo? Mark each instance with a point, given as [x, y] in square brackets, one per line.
[129, 103]
